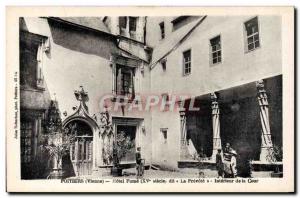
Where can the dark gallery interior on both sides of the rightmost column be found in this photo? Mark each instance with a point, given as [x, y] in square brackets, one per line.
[242, 126]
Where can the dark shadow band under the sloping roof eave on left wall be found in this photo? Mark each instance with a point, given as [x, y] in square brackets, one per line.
[81, 40]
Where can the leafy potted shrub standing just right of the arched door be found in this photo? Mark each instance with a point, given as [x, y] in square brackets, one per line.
[121, 146]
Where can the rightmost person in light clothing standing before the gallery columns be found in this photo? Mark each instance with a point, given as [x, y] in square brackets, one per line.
[229, 156]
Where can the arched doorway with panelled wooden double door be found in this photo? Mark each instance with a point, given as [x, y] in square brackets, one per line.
[81, 151]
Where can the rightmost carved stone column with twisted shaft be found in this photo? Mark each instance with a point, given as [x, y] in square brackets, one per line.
[266, 140]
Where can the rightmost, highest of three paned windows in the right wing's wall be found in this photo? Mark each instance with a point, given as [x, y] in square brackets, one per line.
[252, 34]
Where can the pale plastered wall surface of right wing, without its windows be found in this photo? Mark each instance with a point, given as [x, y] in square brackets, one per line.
[238, 67]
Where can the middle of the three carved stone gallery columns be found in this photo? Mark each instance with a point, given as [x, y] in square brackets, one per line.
[216, 126]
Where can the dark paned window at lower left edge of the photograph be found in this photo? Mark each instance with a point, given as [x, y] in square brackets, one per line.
[26, 141]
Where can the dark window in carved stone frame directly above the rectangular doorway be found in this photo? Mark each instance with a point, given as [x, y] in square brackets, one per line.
[124, 81]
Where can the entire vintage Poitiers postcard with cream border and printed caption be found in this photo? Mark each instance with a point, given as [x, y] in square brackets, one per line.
[150, 99]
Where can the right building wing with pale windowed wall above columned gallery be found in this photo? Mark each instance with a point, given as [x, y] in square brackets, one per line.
[231, 67]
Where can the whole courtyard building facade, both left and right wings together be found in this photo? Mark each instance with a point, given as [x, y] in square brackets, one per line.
[230, 67]
